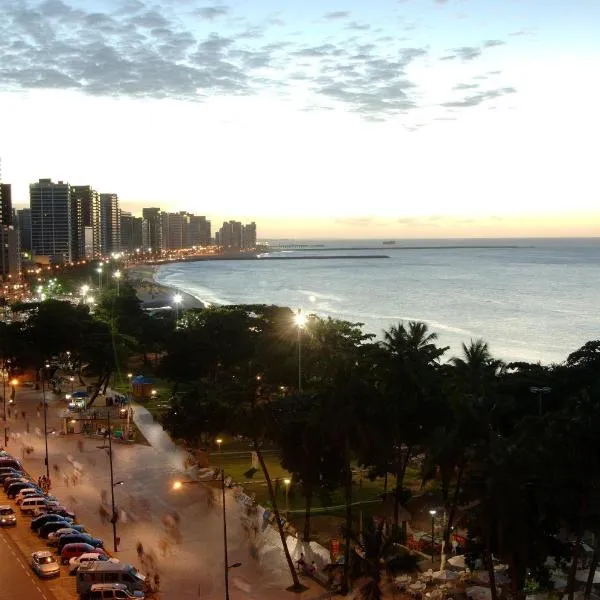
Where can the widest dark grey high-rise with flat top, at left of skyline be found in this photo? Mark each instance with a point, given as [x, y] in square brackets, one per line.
[51, 235]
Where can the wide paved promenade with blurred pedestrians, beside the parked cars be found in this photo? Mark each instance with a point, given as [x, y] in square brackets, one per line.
[192, 566]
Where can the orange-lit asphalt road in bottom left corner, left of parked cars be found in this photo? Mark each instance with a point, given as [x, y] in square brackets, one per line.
[18, 580]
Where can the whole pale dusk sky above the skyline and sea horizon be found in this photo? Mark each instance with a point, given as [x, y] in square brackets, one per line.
[320, 118]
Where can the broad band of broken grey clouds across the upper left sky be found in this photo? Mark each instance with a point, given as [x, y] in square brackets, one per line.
[149, 50]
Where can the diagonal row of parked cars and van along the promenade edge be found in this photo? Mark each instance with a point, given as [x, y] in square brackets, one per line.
[98, 576]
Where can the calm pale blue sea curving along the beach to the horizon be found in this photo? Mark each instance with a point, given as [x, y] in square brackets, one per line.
[530, 299]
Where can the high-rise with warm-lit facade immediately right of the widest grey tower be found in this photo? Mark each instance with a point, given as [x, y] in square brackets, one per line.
[85, 205]
